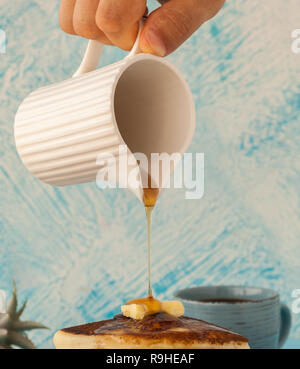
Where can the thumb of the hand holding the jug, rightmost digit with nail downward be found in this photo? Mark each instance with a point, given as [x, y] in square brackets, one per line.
[175, 21]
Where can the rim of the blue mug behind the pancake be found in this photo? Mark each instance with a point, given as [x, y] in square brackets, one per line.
[274, 295]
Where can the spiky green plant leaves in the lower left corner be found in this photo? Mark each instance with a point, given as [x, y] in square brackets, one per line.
[12, 329]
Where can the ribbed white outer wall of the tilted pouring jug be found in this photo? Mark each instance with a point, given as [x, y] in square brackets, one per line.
[61, 129]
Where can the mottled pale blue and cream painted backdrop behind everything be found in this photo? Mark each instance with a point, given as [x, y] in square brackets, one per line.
[77, 253]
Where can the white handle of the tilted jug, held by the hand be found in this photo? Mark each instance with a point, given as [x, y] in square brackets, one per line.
[94, 50]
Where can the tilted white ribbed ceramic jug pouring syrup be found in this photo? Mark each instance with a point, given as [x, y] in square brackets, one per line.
[141, 101]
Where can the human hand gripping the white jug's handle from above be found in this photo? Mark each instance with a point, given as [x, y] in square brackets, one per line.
[115, 22]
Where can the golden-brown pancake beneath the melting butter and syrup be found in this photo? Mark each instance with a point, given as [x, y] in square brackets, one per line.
[157, 331]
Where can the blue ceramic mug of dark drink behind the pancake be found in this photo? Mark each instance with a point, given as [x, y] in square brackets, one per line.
[255, 313]
